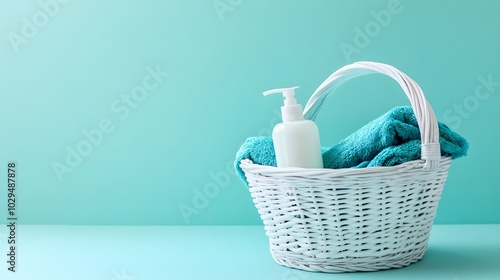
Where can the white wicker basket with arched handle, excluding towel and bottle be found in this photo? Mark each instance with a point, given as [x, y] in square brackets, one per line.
[341, 220]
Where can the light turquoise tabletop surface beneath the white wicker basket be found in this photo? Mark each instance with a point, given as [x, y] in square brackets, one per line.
[456, 252]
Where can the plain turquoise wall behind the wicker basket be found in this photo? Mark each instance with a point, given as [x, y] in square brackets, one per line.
[125, 112]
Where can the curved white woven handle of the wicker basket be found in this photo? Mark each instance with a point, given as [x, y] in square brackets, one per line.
[426, 118]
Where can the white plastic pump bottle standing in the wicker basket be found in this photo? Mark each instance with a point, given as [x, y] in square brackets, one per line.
[296, 140]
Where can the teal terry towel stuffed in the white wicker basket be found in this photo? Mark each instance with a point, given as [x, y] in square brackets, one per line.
[391, 139]
